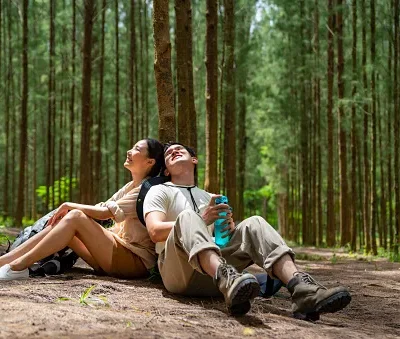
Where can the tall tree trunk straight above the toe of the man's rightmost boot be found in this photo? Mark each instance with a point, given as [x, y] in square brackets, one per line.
[344, 225]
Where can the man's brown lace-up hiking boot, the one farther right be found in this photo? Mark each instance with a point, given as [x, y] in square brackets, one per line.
[310, 299]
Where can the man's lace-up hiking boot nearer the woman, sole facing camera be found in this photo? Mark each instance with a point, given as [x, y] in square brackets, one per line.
[238, 288]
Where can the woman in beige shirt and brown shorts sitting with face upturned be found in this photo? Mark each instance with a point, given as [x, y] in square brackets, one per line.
[123, 251]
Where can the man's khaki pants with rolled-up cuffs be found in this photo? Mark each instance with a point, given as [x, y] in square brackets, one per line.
[253, 241]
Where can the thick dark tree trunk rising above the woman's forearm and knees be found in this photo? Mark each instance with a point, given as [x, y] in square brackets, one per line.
[86, 119]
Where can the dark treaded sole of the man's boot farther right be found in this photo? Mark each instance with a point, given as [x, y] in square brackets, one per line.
[332, 304]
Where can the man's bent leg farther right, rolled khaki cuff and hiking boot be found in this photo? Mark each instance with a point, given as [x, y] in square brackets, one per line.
[254, 240]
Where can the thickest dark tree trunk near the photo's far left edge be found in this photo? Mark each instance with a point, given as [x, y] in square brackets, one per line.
[24, 116]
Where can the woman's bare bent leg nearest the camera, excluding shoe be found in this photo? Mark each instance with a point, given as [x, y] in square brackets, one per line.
[99, 243]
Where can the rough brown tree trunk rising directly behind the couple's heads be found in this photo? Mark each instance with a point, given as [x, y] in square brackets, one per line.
[162, 71]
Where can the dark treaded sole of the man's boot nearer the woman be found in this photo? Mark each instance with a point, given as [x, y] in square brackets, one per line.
[245, 291]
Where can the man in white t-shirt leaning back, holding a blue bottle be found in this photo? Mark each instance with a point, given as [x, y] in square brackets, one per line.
[178, 217]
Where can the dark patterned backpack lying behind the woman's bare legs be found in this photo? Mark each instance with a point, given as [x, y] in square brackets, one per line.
[56, 263]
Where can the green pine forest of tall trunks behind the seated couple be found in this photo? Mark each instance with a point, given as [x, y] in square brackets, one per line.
[293, 107]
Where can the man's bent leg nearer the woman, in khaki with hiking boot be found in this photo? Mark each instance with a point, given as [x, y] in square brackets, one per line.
[191, 260]
